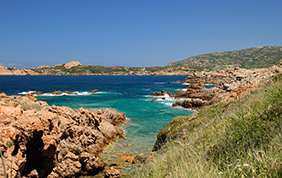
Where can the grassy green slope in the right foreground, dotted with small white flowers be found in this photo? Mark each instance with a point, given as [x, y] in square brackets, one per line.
[235, 139]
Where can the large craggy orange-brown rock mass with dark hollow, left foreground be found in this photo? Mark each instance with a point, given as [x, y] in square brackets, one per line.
[38, 140]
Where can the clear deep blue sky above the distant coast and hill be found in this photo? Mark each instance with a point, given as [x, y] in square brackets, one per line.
[132, 32]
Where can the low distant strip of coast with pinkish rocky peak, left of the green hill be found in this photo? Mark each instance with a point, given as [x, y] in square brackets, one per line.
[76, 68]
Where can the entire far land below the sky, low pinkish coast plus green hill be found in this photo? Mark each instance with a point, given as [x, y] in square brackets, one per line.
[258, 57]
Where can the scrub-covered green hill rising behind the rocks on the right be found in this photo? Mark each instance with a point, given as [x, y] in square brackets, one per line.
[256, 57]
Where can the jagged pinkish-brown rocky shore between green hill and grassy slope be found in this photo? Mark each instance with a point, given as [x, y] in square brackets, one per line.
[229, 84]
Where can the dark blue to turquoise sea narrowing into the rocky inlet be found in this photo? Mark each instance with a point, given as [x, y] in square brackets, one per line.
[128, 94]
